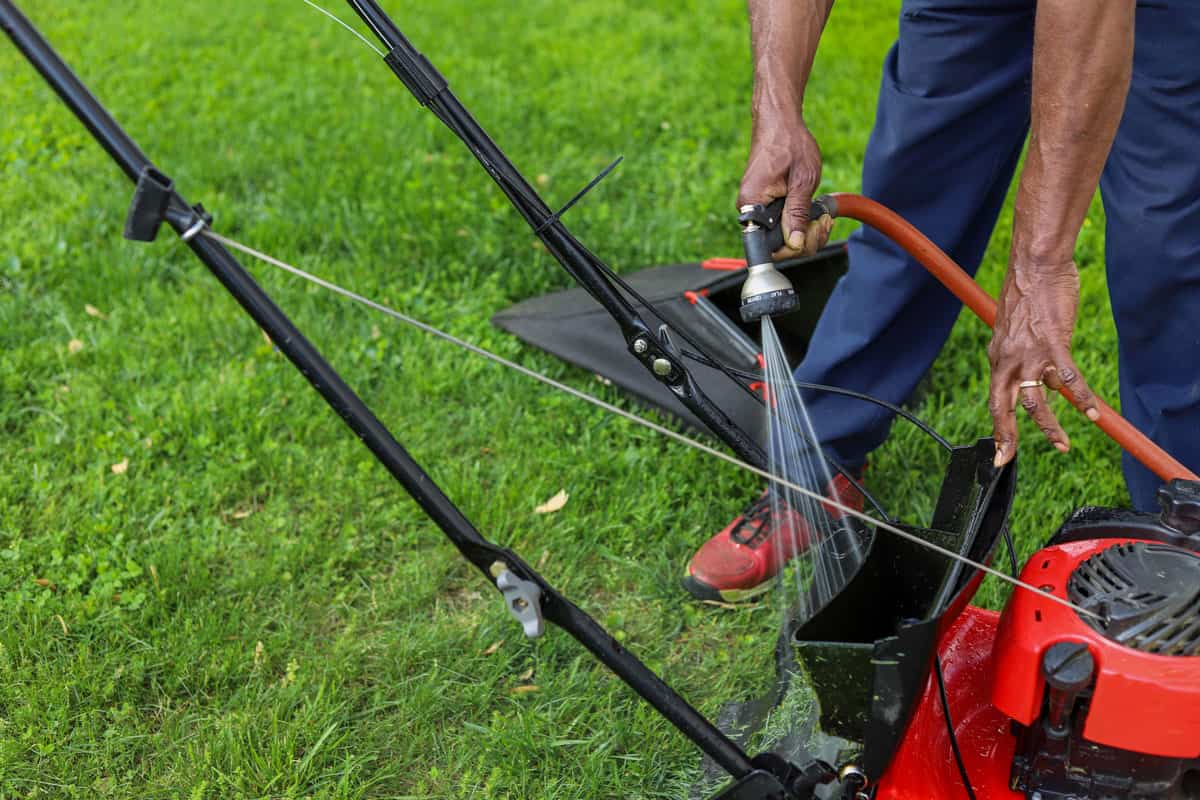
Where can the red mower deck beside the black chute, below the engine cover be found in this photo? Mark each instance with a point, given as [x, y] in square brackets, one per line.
[925, 767]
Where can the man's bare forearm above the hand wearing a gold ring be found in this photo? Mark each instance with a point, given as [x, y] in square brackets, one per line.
[1083, 57]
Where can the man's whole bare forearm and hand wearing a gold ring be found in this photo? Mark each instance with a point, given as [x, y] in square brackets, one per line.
[1076, 111]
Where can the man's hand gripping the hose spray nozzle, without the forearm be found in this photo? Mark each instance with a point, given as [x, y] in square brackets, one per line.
[785, 161]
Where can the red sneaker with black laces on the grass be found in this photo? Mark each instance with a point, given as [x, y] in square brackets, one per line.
[740, 563]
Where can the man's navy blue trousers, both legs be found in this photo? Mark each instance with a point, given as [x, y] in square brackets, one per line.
[952, 119]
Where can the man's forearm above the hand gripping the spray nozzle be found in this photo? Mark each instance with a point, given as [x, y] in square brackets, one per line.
[784, 35]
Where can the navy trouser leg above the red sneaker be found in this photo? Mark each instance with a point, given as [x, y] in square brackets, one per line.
[952, 118]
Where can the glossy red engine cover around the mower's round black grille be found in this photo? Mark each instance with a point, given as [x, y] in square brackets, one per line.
[1142, 702]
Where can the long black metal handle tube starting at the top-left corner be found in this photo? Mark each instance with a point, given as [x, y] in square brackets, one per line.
[355, 412]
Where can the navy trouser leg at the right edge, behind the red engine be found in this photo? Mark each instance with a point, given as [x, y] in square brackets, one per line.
[1151, 189]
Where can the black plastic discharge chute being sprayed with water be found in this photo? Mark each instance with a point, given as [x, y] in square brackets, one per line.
[871, 651]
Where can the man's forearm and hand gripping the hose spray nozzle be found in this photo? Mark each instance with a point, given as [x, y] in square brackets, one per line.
[785, 160]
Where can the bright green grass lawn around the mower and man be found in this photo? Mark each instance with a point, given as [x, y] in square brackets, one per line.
[253, 607]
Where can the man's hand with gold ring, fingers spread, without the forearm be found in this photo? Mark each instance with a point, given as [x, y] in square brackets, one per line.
[1031, 344]
